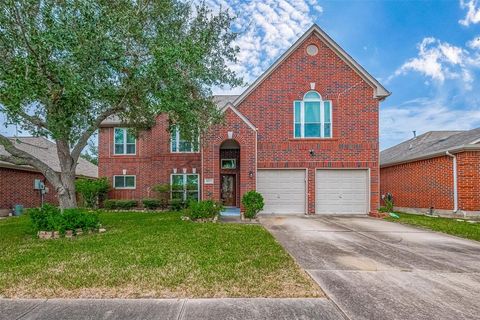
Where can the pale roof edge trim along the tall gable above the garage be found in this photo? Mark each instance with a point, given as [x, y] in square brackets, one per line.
[379, 91]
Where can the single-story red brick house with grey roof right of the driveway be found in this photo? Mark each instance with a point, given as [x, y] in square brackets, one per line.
[439, 171]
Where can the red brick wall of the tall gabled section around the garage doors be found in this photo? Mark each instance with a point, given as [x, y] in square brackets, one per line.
[354, 110]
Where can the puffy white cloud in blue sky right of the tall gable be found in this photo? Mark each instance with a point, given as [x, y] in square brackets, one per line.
[439, 61]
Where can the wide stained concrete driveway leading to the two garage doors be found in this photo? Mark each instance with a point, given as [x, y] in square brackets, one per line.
[374, 269]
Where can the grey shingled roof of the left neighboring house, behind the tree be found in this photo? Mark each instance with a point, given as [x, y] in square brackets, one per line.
[46, 151]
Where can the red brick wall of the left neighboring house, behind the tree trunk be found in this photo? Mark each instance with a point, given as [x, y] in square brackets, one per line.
[16, 187]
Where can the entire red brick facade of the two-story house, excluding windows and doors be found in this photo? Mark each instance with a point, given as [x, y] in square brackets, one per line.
[355, 142]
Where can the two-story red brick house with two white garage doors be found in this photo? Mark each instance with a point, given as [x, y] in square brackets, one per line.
[304, 134]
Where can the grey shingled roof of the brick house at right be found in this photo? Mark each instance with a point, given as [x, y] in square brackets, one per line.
[429, 145]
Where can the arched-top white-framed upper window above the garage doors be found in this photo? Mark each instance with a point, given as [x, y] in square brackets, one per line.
[312, 117]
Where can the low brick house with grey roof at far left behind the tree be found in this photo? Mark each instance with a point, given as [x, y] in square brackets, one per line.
[17, 183]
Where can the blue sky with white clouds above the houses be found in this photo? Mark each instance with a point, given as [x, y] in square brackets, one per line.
[427, 53]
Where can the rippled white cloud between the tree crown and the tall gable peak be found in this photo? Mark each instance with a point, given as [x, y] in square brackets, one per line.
[267, 29]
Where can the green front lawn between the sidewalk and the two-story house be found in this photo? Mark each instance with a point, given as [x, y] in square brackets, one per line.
[149, 255]
